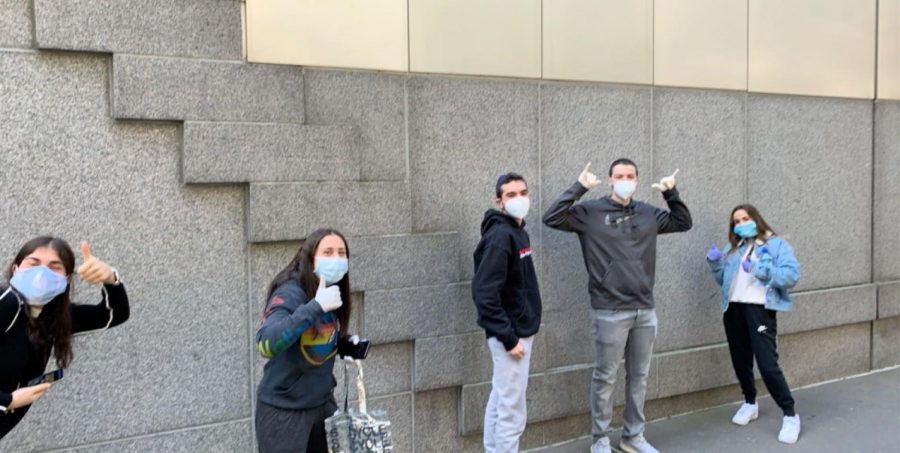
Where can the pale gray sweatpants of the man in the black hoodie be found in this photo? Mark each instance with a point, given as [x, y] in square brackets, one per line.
[506, 412]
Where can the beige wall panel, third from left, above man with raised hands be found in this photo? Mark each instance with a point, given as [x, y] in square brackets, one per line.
[599, 40]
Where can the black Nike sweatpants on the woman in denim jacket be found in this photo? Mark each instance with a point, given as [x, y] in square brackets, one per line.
[751, 331]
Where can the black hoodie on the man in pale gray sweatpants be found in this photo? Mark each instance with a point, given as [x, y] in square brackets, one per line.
[505, 287]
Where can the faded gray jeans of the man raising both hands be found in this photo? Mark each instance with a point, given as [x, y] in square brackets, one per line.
[616, 333]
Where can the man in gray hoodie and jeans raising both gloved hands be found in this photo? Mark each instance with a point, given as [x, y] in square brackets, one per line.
[618, 242]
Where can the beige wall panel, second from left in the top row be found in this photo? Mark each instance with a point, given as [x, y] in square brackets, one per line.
[479, 37]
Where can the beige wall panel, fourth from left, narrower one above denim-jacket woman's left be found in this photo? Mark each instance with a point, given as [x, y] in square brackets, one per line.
[700, 43]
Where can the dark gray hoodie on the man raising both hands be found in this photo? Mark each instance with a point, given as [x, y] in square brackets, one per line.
[618, 243]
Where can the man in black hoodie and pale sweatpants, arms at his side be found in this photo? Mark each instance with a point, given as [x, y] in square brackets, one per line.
[506, 295]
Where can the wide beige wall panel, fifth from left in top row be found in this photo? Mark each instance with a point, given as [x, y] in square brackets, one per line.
[812, 47]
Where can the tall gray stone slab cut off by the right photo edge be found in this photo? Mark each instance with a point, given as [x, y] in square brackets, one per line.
[886, 228]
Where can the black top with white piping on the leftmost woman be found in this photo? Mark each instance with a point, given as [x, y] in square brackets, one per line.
[21, 360]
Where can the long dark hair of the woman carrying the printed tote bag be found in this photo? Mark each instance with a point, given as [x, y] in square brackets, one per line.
[301, 270]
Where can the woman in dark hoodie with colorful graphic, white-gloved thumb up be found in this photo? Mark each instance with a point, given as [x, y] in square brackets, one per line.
[305, 319]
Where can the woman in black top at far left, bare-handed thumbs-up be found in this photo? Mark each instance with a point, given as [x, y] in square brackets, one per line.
[37, 318]
